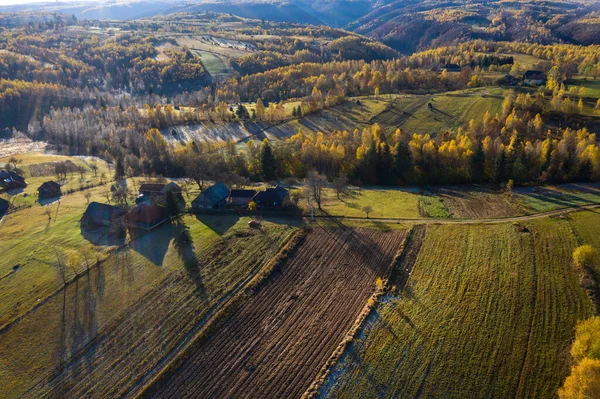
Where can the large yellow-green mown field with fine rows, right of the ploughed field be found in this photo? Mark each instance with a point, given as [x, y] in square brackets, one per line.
[488, 311]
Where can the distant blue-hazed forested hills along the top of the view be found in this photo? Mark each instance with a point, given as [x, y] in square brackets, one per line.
[405, 25]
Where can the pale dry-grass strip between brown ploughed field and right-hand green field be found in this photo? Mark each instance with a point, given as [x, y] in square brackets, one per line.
[340, 350]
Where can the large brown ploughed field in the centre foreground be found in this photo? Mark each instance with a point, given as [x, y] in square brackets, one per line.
[276, 342]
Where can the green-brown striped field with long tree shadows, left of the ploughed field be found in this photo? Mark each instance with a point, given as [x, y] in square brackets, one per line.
[118, 324]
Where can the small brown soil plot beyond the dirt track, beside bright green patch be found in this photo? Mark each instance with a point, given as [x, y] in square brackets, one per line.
[477, 203]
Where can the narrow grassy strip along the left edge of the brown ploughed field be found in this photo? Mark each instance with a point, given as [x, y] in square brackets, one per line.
[220, 315]
